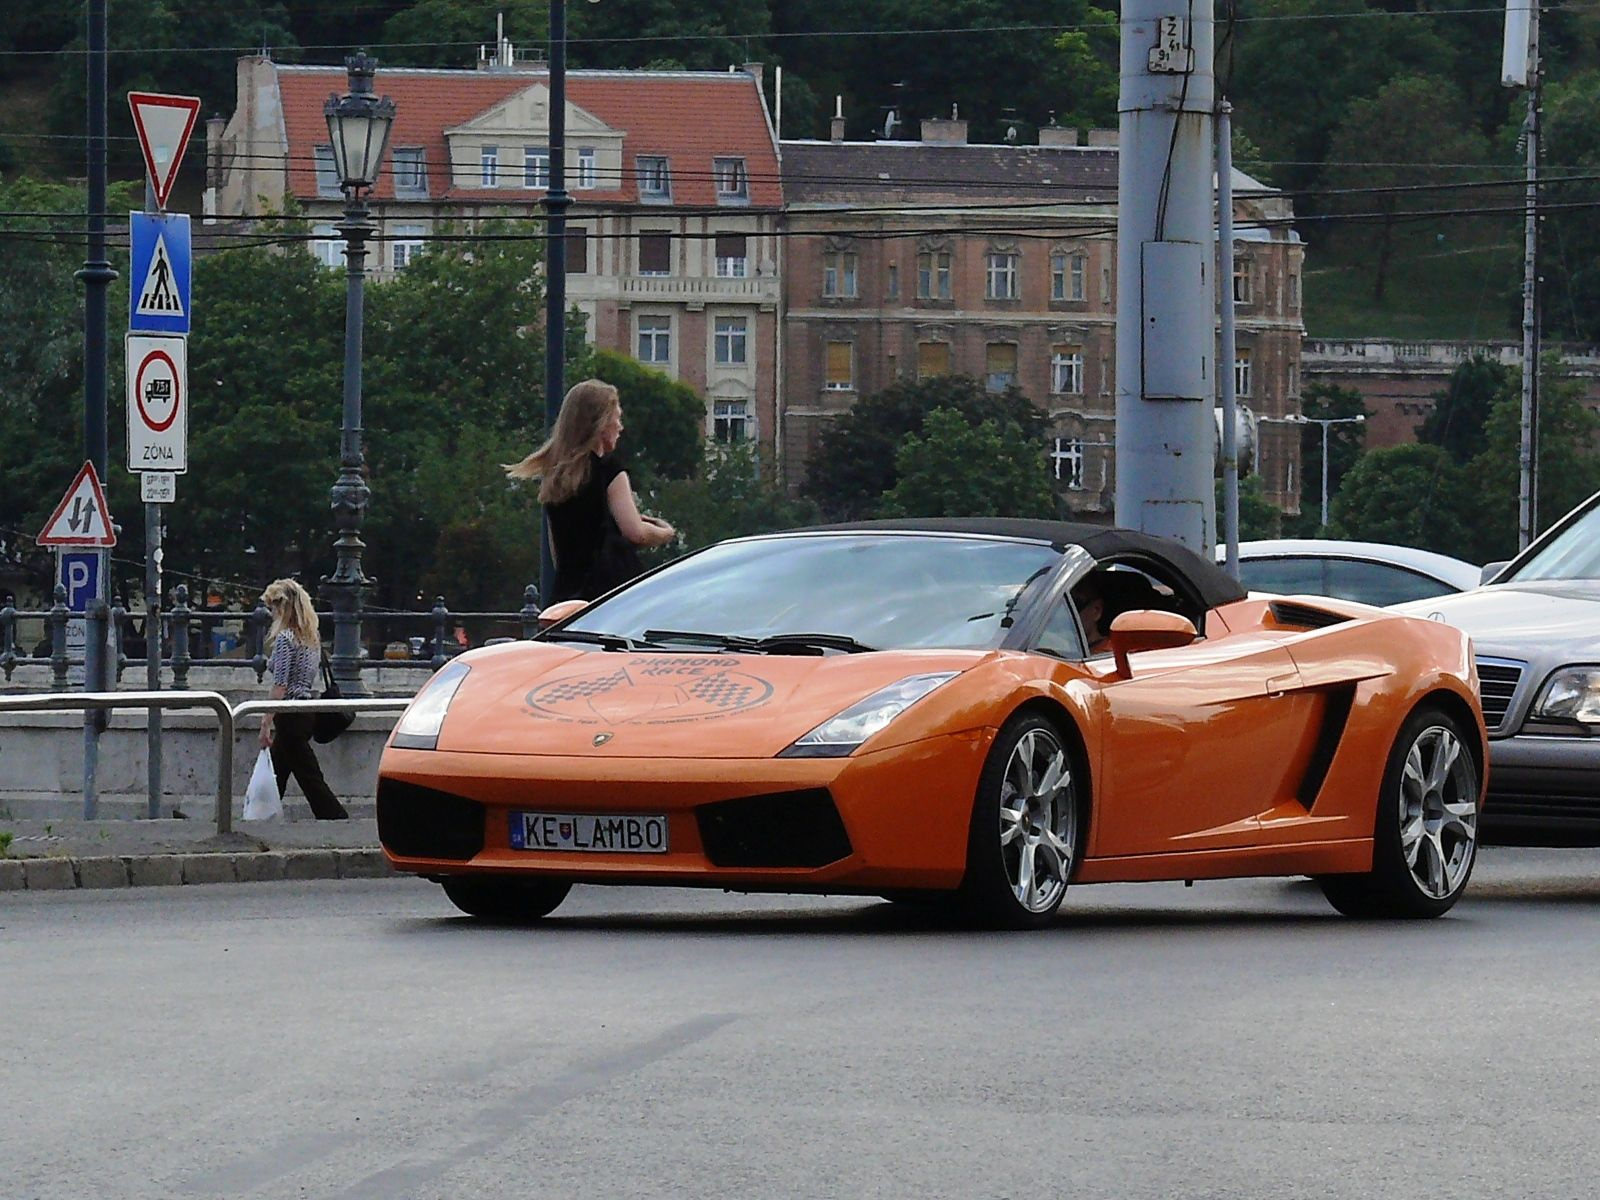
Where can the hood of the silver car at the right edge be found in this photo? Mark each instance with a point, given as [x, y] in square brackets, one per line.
[1511, 617]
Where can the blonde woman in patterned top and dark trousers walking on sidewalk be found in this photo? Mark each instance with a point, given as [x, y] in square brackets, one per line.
[295, 662]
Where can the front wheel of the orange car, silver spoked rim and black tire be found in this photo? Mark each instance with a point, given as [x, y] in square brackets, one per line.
[1023, 844]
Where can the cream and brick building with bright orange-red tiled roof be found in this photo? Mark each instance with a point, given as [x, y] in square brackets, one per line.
[674, 183]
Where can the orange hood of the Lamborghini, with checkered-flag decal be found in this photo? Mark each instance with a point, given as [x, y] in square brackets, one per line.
[550, 698]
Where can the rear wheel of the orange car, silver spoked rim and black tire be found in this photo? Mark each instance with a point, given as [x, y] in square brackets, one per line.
[1426, 833]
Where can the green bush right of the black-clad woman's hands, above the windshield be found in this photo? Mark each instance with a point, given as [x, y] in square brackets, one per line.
[735, 495]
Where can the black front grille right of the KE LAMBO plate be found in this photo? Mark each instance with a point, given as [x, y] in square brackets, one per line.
[783, 830]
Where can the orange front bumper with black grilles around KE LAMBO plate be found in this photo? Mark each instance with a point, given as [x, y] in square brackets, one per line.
[890, 820]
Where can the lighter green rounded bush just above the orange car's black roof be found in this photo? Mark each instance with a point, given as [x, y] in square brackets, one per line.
[959, 470]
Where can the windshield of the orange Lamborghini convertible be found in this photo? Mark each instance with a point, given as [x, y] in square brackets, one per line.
[881, 591]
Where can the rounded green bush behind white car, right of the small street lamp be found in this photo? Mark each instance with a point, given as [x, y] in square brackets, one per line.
[1409, 495]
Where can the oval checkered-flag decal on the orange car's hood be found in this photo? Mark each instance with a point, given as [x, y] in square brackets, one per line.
[665, 690]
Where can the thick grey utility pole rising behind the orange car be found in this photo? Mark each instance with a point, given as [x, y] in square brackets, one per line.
[1166, 295]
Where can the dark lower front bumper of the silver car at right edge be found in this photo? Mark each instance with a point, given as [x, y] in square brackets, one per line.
[1543, 791]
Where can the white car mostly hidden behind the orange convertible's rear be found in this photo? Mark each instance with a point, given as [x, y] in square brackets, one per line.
[1372, 574]
